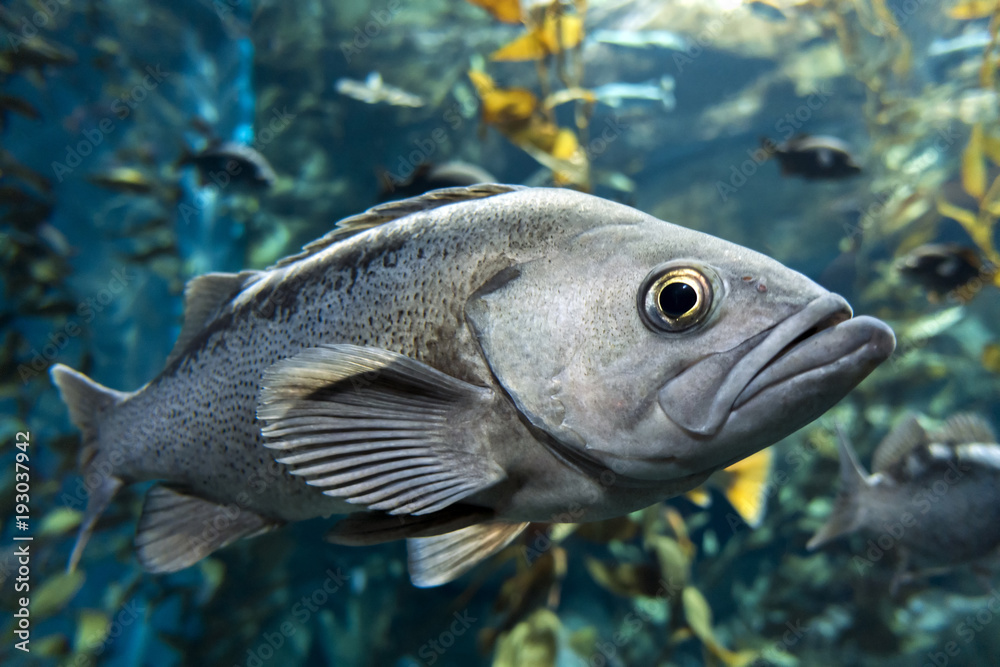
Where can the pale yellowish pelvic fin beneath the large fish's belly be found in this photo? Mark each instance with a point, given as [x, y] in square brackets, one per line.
[437, 560]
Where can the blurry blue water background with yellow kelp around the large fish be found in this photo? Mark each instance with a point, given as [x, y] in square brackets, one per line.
[110, 109]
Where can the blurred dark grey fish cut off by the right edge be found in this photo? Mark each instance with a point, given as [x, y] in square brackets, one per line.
[935, 495]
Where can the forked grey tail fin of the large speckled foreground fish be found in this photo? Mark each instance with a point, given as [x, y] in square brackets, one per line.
[89, 403]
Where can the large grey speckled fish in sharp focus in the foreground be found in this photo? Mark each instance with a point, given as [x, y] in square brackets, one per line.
[459, 364]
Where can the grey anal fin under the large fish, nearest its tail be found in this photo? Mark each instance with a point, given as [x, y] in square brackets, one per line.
[177, 530]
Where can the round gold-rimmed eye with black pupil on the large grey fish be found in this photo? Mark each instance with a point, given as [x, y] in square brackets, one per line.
[675, 298]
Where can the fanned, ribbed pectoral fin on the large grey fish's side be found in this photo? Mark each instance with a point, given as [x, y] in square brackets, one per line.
[377, 428]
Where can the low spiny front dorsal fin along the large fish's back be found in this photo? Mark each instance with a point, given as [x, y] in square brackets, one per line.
[394, 210]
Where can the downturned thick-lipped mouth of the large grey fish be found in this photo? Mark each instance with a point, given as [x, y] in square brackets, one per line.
[820, 337]
